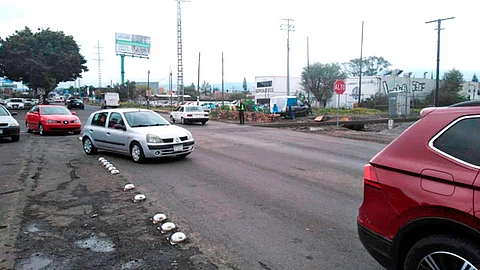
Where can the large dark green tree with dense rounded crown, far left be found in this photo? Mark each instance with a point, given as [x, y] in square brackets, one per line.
[42, 59]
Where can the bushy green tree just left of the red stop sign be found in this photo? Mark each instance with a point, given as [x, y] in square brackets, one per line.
[319, 79]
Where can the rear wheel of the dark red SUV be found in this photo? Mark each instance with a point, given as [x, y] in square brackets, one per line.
[443, 252]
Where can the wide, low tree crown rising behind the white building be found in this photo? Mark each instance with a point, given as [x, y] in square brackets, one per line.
[371, 66]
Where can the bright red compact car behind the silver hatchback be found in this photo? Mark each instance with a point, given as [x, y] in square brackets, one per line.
[52, 118]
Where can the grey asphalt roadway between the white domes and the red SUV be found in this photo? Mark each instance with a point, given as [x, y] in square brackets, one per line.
[250, 197]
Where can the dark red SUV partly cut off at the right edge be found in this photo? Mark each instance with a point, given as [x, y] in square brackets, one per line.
[421, 205]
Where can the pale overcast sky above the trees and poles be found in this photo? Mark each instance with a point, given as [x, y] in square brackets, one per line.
[249, 35]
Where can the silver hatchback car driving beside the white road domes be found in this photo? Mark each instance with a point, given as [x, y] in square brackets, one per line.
[138, 133]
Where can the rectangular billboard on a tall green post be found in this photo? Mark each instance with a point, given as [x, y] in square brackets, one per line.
[132, 44]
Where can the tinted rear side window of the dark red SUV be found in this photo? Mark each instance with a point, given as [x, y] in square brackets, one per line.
[462, 141]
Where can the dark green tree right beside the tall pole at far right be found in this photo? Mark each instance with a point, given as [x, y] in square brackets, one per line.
[450, 86]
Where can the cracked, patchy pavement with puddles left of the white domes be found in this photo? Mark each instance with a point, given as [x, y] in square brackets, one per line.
[75, 215]
